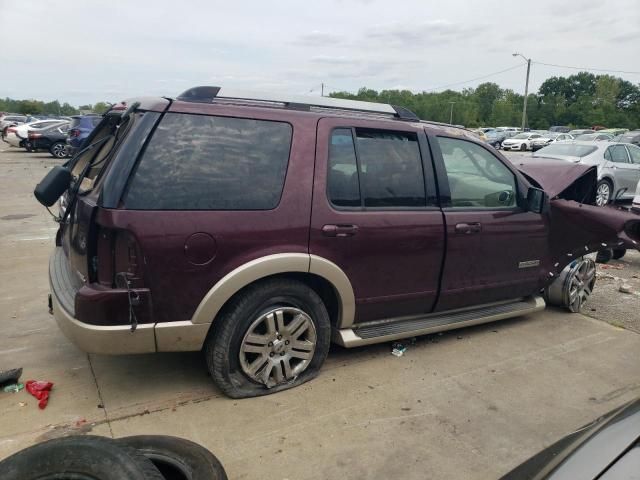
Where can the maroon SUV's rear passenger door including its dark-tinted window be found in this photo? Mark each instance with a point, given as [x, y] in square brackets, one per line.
[375, 215]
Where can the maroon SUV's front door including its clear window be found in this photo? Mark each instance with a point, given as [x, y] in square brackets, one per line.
[495, 250]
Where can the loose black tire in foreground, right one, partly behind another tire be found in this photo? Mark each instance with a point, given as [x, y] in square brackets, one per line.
[177, 458]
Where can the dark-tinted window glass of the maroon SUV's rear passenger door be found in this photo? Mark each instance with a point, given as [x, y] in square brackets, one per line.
[373, 168]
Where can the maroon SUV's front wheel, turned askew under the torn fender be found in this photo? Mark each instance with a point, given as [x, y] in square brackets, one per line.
[573, 286]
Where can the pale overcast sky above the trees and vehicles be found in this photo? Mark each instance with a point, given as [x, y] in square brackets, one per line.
[88, 51]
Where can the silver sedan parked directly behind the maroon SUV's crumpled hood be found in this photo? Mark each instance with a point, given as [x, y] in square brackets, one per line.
[618, 165]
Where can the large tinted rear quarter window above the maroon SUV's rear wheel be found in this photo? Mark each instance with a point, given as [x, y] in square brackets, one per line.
[198, 162]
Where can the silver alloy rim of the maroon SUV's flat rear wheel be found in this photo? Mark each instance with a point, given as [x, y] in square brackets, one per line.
[278, 346]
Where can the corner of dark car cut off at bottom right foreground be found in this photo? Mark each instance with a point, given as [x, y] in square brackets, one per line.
[605, 449]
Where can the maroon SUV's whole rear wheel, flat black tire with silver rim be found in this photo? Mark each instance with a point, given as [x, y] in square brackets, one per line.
[273, 336]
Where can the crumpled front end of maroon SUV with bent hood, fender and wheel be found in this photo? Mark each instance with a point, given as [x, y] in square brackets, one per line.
[577, 227]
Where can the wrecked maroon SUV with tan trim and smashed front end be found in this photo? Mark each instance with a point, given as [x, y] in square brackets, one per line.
[260, 230]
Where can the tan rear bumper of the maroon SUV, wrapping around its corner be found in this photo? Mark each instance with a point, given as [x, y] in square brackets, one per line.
[115, 339]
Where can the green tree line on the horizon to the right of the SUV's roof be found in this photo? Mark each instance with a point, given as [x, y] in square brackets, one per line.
[582, 100]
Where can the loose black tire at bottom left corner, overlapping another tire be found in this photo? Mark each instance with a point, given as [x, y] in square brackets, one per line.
[79, 457]
